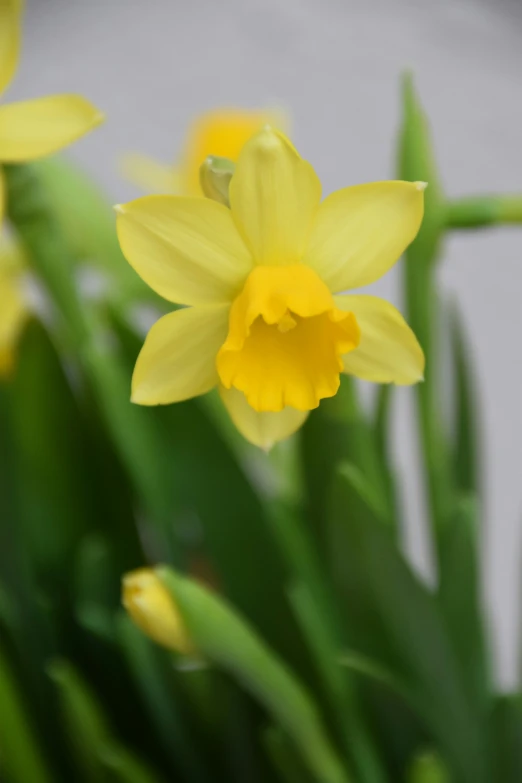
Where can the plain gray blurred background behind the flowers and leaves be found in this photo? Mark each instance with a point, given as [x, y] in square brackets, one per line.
[335, 64]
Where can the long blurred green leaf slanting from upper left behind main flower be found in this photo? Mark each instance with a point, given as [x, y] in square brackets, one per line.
[133, 433]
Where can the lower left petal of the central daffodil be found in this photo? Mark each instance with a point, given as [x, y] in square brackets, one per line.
[178, 359]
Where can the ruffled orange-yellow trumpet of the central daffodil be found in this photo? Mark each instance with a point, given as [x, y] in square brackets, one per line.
[285, 340]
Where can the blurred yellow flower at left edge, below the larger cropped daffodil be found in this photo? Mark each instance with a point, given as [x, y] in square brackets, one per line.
[13, 311]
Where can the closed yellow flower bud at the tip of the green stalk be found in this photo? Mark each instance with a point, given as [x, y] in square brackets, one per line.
[152, 609]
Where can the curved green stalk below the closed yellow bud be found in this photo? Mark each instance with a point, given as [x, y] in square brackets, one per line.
[221, 636]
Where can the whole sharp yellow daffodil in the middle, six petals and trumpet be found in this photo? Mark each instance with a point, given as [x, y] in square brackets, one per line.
[266, 320]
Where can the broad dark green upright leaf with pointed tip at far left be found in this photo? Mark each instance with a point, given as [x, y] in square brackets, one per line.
[51, 470]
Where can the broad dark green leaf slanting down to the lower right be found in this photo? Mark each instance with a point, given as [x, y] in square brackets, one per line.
[396, 622]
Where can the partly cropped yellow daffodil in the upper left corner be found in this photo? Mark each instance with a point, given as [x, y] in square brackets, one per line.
[36, 128]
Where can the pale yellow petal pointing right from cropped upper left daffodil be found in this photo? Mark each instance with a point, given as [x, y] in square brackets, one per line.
[33, 129]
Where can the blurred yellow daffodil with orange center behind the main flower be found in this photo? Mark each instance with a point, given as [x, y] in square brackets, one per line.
[222, 132]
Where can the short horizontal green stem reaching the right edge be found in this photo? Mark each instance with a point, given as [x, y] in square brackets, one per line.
[473, 212]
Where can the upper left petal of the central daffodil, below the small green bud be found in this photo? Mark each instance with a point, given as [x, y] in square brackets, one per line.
[187, 249]
